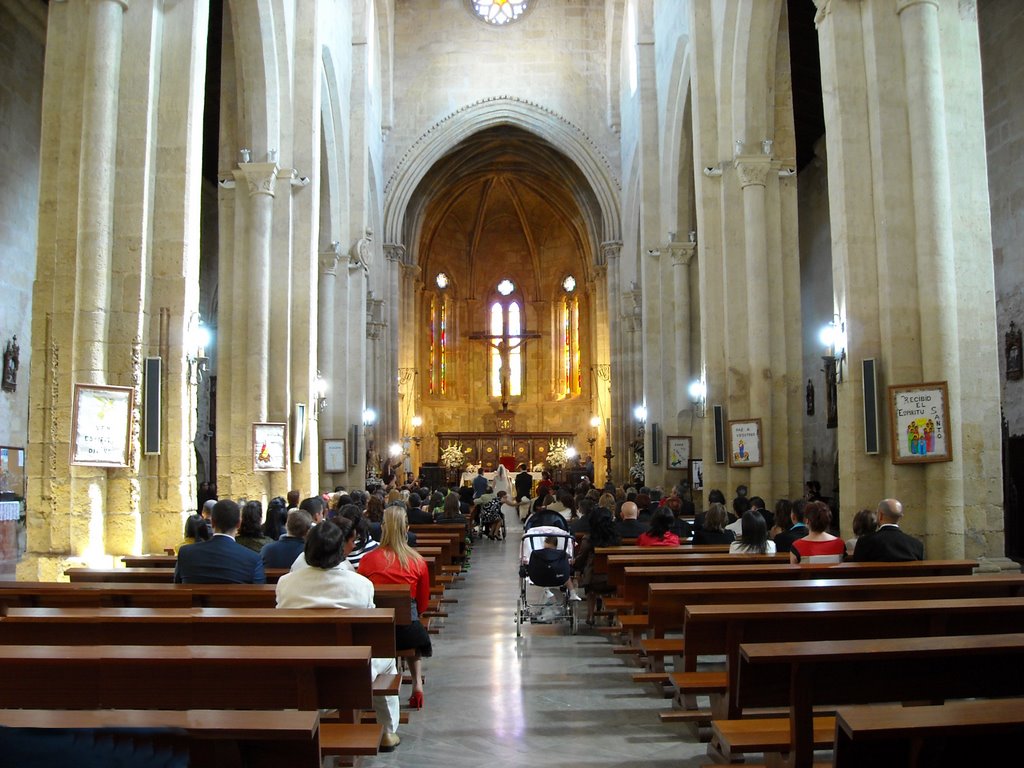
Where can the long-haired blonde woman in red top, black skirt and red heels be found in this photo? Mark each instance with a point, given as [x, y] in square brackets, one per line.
[396, 563]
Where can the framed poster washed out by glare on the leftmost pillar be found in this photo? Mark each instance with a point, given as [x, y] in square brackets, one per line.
[101, 425]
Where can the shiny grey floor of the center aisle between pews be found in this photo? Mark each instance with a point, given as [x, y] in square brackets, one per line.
[547, 700]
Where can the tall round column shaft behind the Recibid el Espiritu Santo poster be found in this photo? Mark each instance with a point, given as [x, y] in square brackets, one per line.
[935, 259]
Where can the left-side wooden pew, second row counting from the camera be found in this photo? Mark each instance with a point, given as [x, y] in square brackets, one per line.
[176, 677]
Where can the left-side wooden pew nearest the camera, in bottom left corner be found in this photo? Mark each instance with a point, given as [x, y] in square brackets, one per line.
[211, 739]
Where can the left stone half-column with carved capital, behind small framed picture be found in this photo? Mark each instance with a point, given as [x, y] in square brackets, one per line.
[262, 181]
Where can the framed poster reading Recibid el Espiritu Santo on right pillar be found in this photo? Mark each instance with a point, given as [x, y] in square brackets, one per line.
[919, 422]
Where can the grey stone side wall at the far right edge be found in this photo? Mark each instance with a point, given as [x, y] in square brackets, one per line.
[1002, 28]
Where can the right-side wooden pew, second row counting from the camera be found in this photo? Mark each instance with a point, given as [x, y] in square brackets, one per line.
[802, 675]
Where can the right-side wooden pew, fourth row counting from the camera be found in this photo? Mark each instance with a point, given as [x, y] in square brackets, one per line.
[668, 603]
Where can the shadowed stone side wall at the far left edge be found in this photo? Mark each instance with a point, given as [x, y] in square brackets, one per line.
[21, 110]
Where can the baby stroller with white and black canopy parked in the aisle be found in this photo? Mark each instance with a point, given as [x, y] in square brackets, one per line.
[546, 570]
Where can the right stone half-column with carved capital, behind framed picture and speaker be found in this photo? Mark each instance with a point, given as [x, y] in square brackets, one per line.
[754, 172]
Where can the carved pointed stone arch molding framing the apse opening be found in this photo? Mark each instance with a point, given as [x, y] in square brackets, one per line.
[448, 133]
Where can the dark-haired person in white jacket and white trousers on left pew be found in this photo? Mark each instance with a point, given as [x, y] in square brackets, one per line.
[326, 585]
